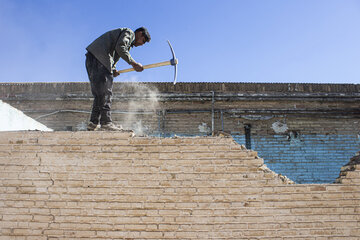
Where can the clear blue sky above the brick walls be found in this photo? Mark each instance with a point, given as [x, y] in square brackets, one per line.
[292, 41]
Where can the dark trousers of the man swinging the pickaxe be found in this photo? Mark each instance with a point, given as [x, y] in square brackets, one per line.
[101, 82]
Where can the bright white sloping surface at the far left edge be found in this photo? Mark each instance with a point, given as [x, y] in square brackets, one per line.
[12, 119]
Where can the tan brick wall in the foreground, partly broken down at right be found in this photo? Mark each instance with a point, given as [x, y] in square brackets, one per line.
[108, 185]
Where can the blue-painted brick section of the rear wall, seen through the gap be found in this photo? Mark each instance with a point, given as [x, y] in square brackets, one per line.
[305, 158]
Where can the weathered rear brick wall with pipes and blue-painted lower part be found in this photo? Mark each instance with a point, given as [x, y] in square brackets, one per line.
[304, 131]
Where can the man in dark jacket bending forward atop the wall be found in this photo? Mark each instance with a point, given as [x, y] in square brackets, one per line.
[101, 59]
